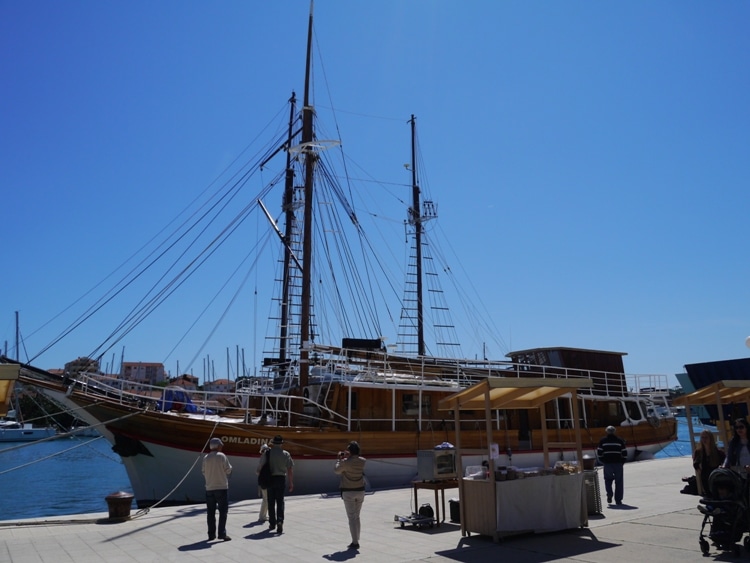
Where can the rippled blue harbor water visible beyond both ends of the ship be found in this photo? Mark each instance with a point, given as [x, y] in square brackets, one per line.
[74, 475]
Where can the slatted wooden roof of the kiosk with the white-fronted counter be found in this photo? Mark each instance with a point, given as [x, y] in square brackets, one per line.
[512, 393]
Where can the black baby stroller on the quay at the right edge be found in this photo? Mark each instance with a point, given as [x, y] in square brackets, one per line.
[725, 512]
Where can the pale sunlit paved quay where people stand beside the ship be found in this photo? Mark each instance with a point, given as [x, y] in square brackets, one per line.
[655, 523]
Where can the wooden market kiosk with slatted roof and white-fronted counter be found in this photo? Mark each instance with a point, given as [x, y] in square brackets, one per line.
[535, 504]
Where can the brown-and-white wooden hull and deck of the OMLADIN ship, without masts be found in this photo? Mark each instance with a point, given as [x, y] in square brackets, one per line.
[392, 413]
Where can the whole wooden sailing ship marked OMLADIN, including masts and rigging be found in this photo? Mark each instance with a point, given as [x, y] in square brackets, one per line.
[320, 393]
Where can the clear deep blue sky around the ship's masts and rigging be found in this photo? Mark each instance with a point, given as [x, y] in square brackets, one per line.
[590, 160]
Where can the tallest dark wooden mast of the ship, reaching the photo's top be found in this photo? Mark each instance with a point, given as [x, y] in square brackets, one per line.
[307, 138]
